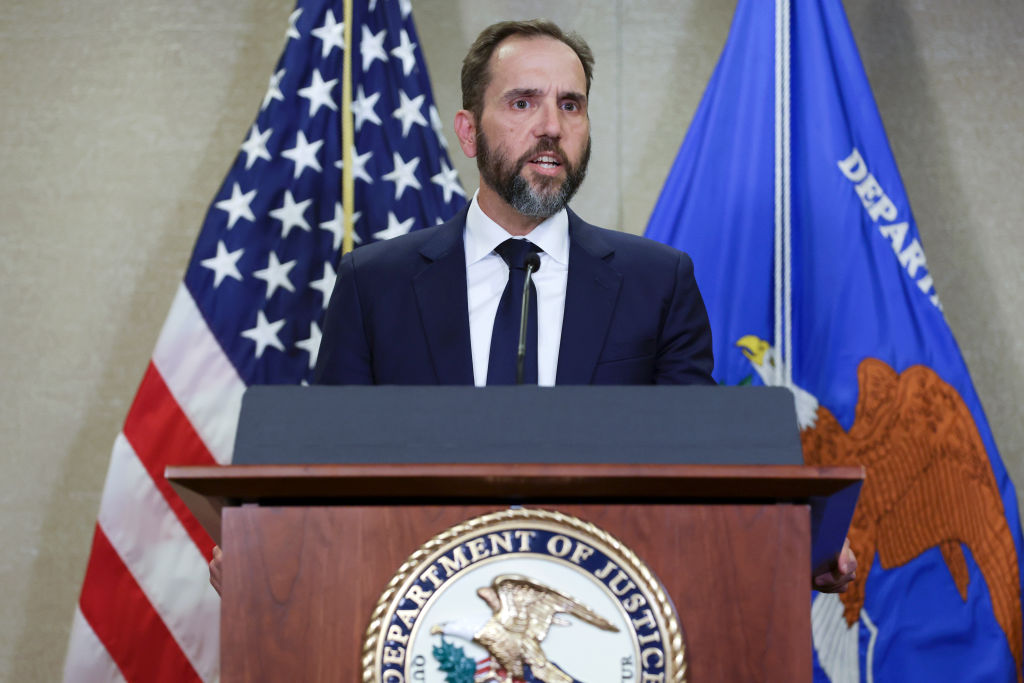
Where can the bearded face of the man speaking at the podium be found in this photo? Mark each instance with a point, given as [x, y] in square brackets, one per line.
[533, 139]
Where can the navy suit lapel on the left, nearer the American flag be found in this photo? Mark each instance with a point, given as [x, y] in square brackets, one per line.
[441, 293]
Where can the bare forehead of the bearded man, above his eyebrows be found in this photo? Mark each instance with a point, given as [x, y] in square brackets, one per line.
[536, 63]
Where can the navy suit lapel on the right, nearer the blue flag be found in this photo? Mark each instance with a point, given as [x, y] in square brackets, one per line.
[590, 301]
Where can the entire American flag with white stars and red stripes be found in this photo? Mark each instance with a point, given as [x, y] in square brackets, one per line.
[249, 313]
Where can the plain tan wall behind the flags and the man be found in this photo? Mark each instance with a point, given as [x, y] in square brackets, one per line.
[119, 121]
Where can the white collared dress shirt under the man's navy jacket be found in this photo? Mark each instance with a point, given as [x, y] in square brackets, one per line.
[487, 276]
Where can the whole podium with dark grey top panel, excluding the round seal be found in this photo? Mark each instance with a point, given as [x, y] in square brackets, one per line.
[342, 485]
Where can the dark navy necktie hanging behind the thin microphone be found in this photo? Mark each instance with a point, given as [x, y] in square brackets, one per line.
[505, 336]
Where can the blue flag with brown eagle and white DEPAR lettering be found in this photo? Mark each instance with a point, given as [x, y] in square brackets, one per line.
[877, 374]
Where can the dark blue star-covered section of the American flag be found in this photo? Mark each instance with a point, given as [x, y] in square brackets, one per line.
[264, 268]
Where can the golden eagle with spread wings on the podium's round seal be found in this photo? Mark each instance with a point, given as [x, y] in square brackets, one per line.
[524, 612]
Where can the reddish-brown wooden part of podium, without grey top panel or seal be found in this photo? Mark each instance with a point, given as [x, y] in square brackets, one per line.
[309, 549]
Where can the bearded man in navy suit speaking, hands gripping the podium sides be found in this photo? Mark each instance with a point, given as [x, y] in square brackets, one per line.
[613, 309]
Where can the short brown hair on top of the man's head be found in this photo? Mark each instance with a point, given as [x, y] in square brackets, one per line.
[476, 68]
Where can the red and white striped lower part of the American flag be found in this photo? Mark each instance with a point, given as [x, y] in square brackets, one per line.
[147, 612]
